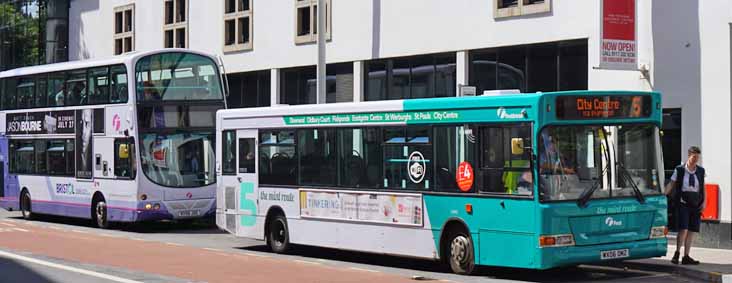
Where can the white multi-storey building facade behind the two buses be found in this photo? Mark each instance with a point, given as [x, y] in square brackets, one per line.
[379, 49]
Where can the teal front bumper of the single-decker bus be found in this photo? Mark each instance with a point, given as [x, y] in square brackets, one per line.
[551, 257]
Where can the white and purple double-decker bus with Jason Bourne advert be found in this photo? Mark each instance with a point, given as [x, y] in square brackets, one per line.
[124, 139]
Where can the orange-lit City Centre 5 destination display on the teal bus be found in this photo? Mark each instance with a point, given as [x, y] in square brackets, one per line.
[599, 107]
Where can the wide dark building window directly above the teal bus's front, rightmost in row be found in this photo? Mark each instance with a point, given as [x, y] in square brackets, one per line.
[530, 68]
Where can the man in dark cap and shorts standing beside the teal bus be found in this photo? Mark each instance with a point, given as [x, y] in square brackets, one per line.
[687, 194]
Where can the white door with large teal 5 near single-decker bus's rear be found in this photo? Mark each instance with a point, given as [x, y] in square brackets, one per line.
[246, 186]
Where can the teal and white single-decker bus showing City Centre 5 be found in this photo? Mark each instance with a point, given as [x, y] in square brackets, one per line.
[536, 181]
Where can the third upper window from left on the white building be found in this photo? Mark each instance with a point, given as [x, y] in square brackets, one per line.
[237, 25]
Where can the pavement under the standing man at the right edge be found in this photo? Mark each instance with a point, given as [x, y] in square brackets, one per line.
[716, 264]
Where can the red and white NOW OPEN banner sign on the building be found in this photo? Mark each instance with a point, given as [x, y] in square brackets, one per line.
[618, 45]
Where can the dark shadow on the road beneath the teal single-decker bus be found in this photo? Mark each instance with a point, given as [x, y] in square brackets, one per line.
[567, 274]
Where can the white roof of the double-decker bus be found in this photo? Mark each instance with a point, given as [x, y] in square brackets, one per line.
[81, 64]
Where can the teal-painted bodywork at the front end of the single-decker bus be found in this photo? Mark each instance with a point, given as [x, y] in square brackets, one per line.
[505, 230]
